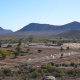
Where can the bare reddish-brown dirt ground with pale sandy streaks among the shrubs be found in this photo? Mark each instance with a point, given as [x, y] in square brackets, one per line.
[48, 54]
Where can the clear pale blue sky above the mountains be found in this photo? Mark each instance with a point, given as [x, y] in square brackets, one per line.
[15, 14]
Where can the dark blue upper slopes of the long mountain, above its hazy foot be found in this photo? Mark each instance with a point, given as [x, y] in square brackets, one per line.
[47, 27]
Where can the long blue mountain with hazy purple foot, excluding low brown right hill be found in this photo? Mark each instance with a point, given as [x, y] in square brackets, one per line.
[37, 29]
